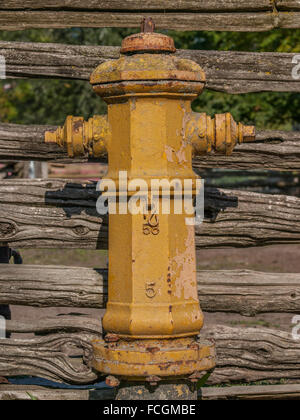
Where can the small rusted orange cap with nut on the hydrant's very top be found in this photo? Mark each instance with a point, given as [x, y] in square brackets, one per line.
[147, 41]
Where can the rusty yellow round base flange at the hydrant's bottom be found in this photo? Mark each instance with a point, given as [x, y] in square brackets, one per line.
[137, 360]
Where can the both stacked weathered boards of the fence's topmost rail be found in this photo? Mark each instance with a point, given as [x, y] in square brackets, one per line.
[262, 15]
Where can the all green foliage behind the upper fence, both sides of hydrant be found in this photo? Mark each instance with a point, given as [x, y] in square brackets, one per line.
[43, 101]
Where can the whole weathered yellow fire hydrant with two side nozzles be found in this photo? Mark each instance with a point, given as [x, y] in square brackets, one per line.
[153, 318]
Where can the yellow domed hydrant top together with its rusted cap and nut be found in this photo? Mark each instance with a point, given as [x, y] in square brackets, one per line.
[144, 67]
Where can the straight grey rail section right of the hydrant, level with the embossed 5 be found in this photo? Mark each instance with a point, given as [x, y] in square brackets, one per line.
[248, 293]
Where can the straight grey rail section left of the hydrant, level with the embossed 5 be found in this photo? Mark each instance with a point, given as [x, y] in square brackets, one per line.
[53, 286]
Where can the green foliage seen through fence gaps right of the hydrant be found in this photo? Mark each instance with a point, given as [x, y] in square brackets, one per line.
[269, 110]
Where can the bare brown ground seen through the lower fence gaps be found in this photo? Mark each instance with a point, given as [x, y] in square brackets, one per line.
[283, 259]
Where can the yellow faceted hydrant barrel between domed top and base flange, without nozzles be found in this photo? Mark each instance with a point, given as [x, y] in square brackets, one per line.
[152, 282]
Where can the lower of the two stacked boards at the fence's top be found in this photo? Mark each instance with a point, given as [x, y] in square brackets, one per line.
[182, 21]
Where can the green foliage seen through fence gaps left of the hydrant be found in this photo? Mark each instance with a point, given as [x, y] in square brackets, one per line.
[47, 101]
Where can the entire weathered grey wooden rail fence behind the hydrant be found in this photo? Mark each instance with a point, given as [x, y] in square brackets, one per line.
[61, 213]
